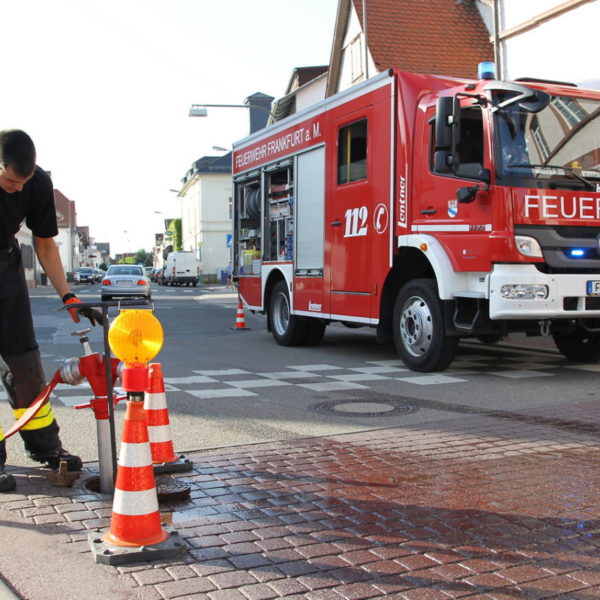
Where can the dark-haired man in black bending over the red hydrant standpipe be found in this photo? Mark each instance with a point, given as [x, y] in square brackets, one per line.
[27, 194]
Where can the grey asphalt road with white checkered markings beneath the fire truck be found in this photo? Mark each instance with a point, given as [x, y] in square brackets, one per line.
[227, 386]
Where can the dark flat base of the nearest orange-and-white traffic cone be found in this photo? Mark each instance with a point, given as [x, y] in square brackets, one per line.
[109, 554]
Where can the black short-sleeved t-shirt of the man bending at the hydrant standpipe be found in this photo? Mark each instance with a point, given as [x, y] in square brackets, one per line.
[34, 204]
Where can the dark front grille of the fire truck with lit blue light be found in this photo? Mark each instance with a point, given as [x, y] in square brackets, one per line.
[566, 249]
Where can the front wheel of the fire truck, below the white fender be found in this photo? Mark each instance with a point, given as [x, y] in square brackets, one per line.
[419, 334]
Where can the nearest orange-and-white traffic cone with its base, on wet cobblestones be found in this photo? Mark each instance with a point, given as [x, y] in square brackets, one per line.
[136, 532]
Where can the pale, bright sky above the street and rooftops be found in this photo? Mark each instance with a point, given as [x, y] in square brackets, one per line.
[104, 89]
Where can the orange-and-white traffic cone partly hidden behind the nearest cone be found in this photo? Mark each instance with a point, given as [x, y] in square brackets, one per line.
[164, 458]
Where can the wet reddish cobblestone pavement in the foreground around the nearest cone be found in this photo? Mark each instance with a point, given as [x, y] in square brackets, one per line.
[498, 506]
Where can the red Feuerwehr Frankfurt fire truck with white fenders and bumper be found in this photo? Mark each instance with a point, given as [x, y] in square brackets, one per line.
[430, 209]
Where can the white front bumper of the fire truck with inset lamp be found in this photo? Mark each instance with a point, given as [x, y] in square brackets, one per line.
[523, 292]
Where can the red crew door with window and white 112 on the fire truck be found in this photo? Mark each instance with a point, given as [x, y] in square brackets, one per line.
[348, 219]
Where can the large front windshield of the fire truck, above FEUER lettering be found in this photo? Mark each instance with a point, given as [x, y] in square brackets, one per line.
[555, 148]
